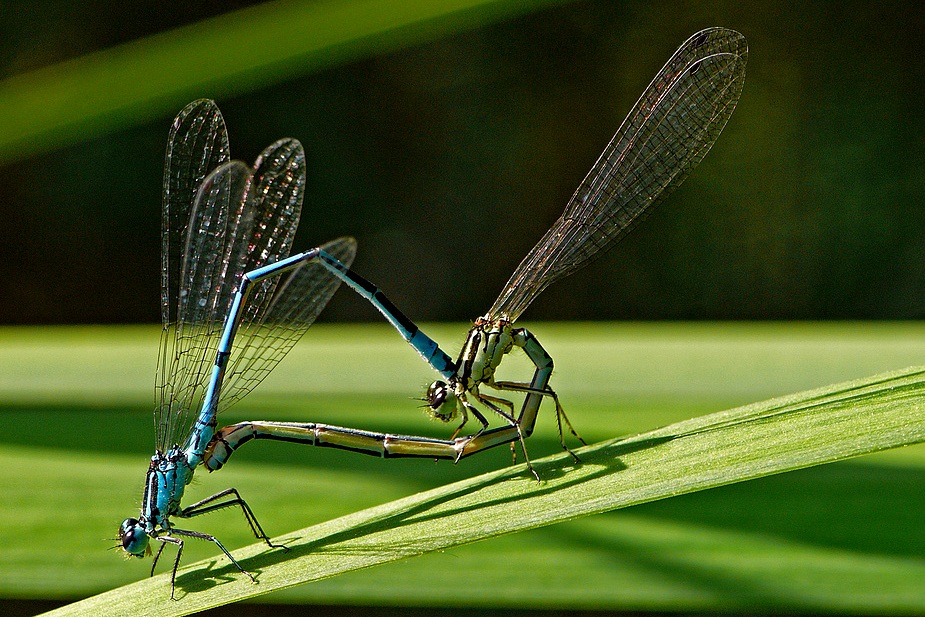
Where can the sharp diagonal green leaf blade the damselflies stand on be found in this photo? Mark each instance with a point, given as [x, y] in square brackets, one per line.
[783, 434]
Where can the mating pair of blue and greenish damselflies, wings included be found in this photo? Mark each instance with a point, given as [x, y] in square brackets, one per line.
[234, 301]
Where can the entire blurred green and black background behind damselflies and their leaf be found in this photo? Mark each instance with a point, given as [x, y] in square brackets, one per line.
[446, 136]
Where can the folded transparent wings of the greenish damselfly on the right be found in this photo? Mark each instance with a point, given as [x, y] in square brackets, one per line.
[666, 134]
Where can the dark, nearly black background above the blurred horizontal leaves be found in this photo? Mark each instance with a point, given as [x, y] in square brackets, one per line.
[448, 160]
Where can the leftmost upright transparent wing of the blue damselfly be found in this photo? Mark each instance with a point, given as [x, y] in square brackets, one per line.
[196, 145]
